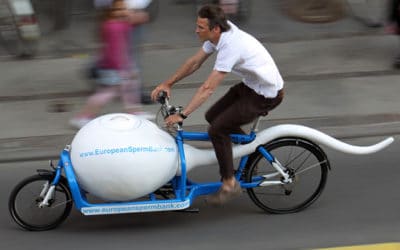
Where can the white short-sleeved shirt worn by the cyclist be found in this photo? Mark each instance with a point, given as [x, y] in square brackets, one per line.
[243, 55]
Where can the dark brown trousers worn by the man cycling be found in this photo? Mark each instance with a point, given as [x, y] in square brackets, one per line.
[239, 106]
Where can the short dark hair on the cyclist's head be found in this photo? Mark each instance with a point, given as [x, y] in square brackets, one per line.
[215, 16]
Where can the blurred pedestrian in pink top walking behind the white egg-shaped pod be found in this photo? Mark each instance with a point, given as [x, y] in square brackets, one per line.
[115, 77]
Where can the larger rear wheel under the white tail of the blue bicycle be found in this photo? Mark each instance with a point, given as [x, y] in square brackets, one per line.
[289, 198]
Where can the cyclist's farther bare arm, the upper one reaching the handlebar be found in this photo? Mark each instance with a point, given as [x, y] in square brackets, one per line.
[190, 66]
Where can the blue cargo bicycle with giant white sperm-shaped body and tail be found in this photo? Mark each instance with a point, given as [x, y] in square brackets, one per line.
[282, 168]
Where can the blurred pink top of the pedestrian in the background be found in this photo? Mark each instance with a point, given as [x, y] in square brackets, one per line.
[115, 38]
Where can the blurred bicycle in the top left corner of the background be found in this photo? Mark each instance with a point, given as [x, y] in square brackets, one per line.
[19, 29]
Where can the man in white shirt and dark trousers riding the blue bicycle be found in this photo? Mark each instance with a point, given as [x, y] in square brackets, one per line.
[260, 91]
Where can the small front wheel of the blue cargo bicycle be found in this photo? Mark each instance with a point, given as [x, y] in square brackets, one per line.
[23, 204]
